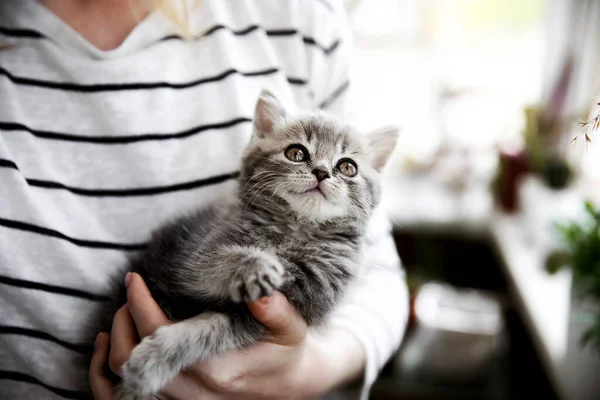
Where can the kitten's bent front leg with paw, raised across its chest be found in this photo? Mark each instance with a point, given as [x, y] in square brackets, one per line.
[239, 273]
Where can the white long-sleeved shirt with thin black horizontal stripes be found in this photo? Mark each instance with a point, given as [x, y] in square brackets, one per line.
[98, 148]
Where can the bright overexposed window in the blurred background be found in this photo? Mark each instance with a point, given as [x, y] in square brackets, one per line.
[447, 69]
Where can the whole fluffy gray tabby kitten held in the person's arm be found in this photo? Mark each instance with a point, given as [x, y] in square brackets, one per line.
[307, 189]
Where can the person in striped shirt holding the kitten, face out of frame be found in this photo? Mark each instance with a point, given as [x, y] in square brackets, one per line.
[114, 117]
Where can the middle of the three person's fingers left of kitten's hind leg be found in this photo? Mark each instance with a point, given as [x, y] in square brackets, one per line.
[123, 339]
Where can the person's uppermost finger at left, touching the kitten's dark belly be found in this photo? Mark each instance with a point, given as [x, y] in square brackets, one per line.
[145, 312]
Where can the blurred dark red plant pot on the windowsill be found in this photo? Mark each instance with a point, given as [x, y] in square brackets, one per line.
[512, 168]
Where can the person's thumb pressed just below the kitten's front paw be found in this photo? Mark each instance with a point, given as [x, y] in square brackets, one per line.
[284, 325]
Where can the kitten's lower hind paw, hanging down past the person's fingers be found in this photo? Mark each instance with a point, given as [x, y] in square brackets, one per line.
[153, 363]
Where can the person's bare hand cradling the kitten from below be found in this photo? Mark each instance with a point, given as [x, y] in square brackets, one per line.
[286, 363]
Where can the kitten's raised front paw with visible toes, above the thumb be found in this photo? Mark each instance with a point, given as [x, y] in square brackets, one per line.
[259, 276]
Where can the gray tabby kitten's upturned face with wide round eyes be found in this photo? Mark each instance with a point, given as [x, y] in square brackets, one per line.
[320, 167]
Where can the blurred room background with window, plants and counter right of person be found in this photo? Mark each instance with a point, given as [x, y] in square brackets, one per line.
[488, 191]
